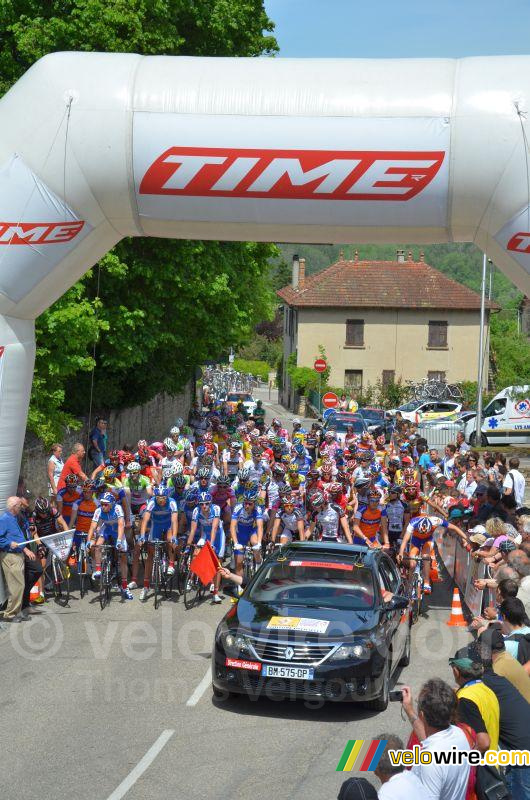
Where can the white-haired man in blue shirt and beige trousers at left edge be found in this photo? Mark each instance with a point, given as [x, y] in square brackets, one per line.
[19, 564]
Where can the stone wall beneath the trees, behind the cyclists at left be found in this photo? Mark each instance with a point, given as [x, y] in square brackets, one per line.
[150, 421]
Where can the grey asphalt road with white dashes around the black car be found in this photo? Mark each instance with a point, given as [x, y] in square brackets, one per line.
[100, 705]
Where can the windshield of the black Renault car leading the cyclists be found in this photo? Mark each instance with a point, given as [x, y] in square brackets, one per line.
[315, 584]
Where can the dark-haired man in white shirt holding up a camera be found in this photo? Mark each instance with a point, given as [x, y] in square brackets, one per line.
[432, 725]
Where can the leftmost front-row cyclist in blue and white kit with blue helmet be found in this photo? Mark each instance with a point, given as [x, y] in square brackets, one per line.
[108, 526]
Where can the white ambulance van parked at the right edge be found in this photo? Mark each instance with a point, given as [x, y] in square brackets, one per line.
[505, 420]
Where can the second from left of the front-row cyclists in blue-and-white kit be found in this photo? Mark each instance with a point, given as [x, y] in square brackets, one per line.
[162, 513]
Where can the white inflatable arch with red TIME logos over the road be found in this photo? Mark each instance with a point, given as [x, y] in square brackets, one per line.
[95, 147]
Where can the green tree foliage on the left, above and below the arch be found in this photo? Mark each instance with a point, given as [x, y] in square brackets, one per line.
[164, 306]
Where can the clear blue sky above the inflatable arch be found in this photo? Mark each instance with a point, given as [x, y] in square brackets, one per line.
[400, 28]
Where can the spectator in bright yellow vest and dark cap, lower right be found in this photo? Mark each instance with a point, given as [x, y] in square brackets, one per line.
[477, 705]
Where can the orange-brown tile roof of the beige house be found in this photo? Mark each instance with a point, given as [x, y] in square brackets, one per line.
[386, 284]
